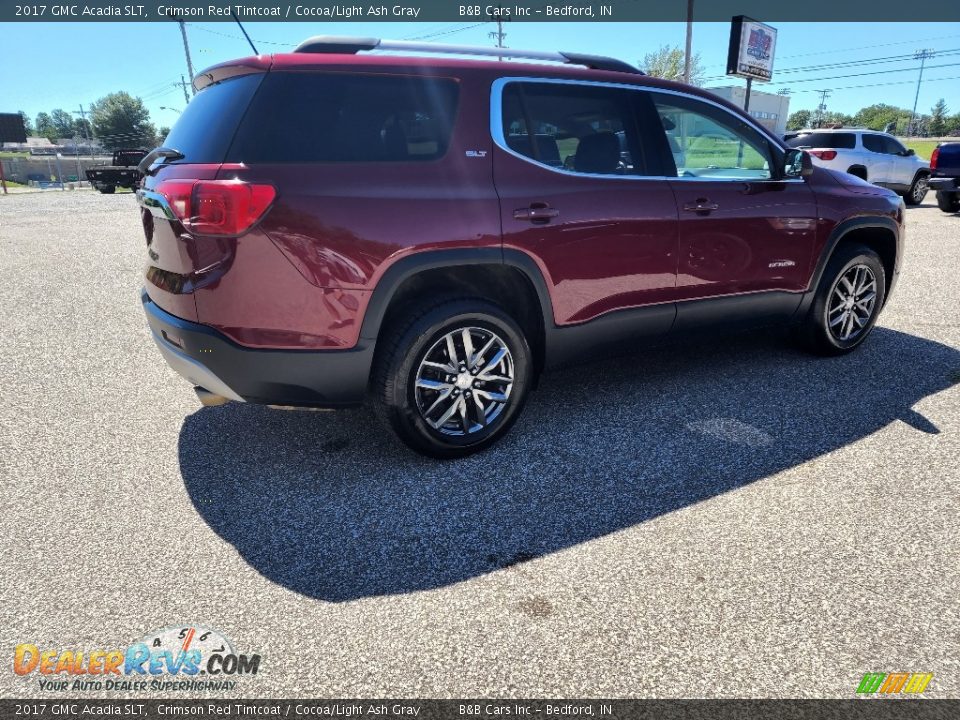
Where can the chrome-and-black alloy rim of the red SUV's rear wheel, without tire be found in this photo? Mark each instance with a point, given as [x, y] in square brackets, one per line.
[464, 381]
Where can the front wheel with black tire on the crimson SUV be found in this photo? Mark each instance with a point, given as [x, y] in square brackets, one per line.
[815, 332]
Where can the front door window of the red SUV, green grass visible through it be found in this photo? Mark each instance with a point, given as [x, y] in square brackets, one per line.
[708, 142]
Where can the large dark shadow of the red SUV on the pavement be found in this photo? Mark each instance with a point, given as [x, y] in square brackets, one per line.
[331, 506]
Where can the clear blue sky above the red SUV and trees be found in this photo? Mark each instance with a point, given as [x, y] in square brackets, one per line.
[64, 65]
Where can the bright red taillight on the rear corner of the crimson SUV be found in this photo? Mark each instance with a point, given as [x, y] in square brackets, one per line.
[217, 207]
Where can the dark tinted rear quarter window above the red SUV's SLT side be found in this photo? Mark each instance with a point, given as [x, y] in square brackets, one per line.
[338, 117]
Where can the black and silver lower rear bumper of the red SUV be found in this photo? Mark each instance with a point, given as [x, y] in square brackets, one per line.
[309, 378]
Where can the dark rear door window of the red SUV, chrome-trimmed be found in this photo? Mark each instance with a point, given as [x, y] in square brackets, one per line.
[581, 128]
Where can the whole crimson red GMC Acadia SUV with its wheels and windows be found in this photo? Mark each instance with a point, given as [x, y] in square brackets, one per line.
[326, 226]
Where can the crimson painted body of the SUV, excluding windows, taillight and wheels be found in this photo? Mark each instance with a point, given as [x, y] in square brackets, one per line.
[289, 311]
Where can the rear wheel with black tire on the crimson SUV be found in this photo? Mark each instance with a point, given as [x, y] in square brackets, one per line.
[420, 332]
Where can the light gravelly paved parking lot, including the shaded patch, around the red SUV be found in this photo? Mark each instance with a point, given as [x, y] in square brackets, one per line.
[723, 518]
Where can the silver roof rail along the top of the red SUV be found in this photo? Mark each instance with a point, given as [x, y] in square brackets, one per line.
[353, 45]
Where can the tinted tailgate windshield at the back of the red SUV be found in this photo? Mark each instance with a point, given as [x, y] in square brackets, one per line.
[205, 128]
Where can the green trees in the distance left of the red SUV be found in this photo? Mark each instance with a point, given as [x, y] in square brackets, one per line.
[117, 120]
